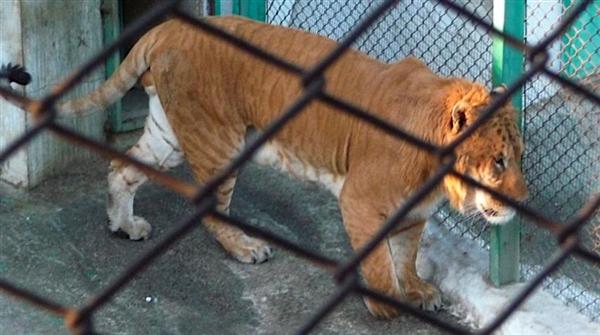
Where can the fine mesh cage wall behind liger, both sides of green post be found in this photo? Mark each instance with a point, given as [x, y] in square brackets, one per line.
[560, 129]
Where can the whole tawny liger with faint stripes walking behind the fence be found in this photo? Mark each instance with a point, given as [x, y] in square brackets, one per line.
[205, 94]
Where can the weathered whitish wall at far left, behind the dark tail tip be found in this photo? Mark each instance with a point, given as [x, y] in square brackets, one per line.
[51, 38]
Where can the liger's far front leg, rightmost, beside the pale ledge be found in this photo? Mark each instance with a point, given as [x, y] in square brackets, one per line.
[404, 246]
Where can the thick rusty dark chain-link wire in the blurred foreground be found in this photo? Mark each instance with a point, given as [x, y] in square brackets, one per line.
[566, 231]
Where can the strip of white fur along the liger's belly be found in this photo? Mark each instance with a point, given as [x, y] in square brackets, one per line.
[275, 155]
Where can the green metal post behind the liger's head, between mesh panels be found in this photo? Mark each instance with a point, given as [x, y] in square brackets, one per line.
[507, 65]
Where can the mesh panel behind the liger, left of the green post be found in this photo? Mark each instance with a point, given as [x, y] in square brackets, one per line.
[450, 44]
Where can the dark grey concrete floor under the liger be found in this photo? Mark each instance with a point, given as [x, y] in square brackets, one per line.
[54, 240]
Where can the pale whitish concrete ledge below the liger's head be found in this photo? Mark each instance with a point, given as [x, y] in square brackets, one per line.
[459, 268]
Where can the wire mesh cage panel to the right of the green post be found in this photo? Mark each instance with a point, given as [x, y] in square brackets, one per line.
[562, 142]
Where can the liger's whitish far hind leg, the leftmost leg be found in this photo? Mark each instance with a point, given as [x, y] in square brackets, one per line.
[157, 147]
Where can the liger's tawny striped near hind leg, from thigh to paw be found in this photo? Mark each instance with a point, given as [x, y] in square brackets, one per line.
[212, 134]
